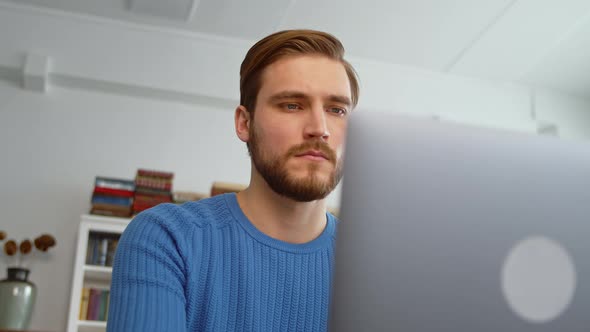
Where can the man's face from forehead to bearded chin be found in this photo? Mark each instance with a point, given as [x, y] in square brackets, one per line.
[297, 132]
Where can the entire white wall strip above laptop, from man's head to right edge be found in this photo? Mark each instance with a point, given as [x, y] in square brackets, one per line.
[484, 103]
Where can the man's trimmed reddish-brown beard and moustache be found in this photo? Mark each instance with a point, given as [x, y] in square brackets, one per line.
[274, 171]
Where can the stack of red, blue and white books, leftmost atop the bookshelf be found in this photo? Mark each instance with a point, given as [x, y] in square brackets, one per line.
[112, 197]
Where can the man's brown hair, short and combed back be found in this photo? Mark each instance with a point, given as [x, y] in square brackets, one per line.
[286, 43]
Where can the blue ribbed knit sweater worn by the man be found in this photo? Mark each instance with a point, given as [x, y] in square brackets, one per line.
[203, 266]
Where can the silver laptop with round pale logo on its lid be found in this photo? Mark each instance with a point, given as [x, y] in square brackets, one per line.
[452, 228]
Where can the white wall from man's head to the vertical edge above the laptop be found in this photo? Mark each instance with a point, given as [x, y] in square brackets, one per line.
[409, 90]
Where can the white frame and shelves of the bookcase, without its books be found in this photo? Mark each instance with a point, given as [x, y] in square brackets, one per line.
[85, 275]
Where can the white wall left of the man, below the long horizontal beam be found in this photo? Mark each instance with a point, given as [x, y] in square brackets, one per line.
[53, 146]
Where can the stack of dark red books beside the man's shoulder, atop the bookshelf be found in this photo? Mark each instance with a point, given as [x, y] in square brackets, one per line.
[151, 189]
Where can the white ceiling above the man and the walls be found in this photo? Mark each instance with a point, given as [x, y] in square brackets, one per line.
[543, 43]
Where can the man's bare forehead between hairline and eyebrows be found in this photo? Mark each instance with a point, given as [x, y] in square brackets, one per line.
[311, 75]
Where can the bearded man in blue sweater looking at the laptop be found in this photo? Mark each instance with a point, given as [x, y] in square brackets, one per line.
[259, 260]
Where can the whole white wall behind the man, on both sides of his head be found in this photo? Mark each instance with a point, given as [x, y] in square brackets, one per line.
[123, 97]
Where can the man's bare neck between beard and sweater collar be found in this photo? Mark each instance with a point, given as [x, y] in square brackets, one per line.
[280, 217]
